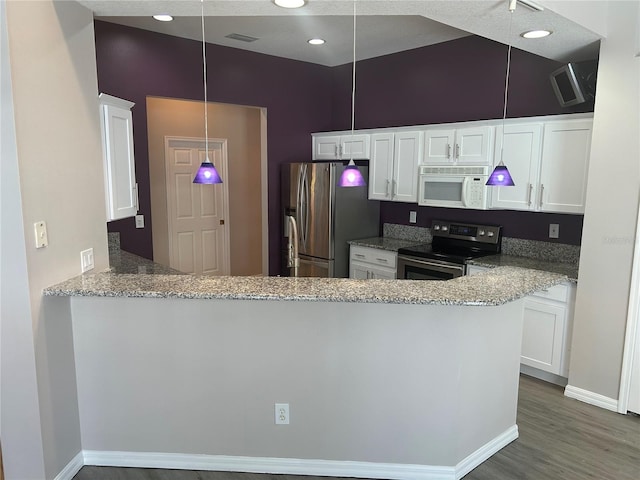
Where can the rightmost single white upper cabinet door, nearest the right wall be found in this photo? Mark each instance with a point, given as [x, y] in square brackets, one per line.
[565, 164]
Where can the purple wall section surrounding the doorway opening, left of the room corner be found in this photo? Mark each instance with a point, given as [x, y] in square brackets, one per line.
[134, 64]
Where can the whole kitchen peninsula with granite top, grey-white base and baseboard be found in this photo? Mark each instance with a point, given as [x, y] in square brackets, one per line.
[384, 378]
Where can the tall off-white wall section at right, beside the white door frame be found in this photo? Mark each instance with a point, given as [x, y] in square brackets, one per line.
[611, 210]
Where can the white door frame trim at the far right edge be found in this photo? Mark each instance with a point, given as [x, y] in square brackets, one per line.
[633, 325]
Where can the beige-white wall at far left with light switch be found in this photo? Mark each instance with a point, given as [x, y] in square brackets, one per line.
[57, 161]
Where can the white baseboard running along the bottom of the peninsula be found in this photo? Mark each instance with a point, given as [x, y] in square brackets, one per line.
[294, 466]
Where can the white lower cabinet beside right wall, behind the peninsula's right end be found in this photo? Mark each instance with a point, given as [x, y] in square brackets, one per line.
[548, 323]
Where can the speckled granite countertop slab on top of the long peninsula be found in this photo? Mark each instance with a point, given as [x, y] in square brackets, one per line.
[494, 287]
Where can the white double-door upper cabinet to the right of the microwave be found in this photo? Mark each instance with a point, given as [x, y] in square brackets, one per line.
[549, 163]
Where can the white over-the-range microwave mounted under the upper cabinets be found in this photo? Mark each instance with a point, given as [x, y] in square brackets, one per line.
[457, 187]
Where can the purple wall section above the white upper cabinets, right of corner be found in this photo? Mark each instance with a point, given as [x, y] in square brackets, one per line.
[456, 81]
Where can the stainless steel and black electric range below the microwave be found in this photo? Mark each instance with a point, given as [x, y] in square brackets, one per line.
[454, 244]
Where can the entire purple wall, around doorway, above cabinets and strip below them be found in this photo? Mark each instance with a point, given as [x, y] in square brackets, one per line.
[460, 80]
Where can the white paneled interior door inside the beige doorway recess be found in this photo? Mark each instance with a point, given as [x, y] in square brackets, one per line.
[198, 230]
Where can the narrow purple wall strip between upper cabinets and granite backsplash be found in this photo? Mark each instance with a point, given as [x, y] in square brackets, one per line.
[527, 225]
